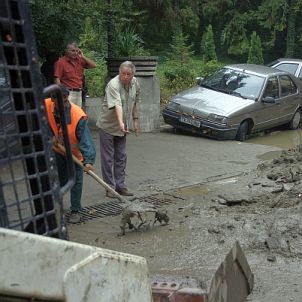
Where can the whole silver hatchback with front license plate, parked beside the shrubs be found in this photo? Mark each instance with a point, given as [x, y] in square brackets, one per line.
[236, 101]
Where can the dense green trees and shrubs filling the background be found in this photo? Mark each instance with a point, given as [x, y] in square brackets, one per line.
[92, 23]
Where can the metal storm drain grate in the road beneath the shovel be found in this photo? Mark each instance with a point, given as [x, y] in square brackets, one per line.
[114, 208]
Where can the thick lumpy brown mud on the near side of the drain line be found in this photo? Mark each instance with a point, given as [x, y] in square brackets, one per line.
[259, 206]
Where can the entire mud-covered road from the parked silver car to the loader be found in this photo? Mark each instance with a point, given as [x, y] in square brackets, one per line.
[215, 193]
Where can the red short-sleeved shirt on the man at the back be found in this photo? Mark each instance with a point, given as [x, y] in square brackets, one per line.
[70, 72]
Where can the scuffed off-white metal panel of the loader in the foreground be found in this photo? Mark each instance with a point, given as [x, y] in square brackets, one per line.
[46, 268]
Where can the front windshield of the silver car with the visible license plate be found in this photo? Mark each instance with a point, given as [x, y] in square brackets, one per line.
[235, 82]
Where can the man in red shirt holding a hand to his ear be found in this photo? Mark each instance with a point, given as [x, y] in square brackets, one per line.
[69, 71]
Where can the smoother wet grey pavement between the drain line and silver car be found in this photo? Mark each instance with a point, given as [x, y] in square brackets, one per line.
[163, 160]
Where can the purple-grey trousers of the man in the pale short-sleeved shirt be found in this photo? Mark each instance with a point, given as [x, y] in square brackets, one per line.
[113, 159]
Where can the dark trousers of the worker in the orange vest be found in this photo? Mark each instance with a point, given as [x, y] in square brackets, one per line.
[76, 190]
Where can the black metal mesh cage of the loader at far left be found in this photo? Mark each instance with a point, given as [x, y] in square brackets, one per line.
[30, 197]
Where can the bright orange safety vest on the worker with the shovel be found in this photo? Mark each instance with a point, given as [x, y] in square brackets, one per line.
[76, 113]
